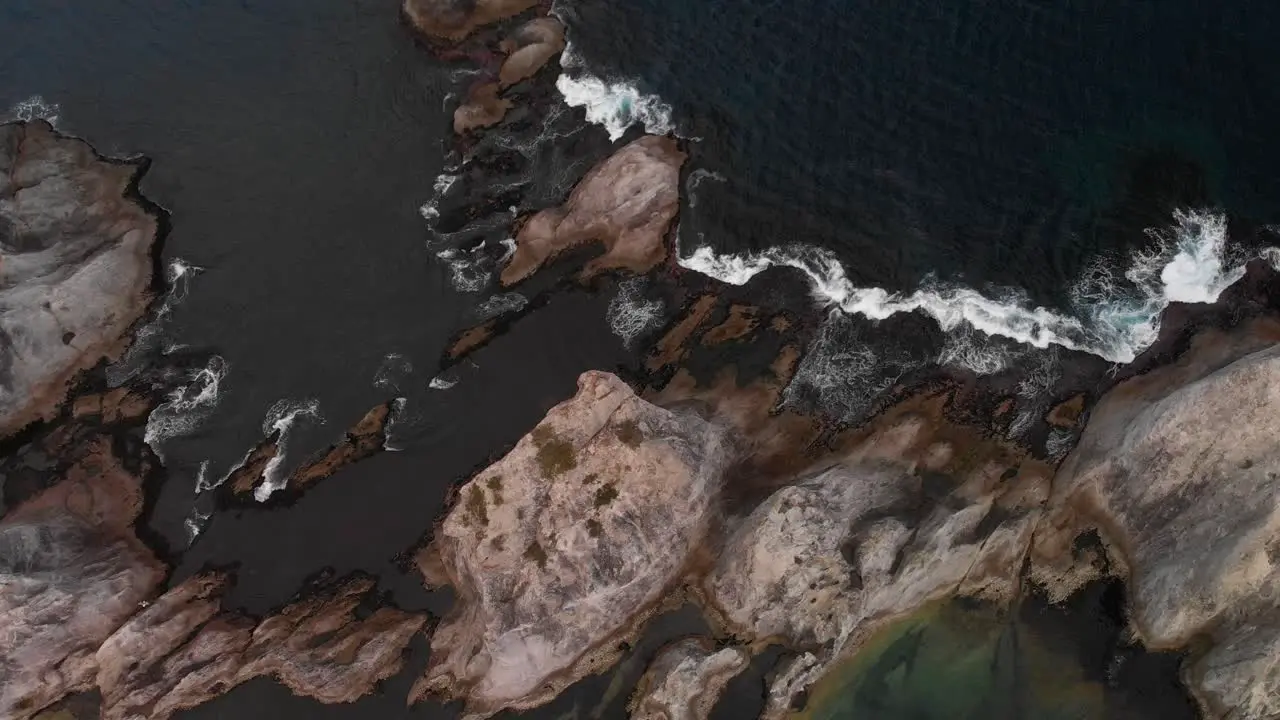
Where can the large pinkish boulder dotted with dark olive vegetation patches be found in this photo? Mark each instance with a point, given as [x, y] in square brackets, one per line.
[563, 546]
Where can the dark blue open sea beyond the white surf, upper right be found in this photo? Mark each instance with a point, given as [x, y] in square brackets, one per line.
[993, 142]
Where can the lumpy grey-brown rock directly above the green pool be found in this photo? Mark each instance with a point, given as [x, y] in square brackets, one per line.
[904, 520]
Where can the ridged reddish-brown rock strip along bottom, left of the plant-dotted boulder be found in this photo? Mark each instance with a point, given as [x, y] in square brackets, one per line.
[179, 653]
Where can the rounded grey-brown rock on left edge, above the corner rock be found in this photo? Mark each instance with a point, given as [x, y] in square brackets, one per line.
[75, 266]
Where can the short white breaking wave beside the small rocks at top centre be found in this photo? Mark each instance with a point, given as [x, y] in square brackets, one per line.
[612, 103]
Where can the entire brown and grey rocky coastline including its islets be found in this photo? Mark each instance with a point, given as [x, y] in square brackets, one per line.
[684, 479]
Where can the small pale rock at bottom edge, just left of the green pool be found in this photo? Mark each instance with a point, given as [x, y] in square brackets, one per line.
[687, 680]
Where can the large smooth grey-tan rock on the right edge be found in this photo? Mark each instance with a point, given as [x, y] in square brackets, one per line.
[1181, 471]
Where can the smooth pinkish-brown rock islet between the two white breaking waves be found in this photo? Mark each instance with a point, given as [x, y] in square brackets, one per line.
[627, 203]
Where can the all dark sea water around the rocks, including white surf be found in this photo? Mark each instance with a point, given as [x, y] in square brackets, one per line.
[1052, 176]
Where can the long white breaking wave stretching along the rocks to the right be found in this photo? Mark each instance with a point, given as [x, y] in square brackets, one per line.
[1114, 320]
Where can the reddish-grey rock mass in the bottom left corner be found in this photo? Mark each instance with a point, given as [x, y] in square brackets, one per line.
[71, 572]
